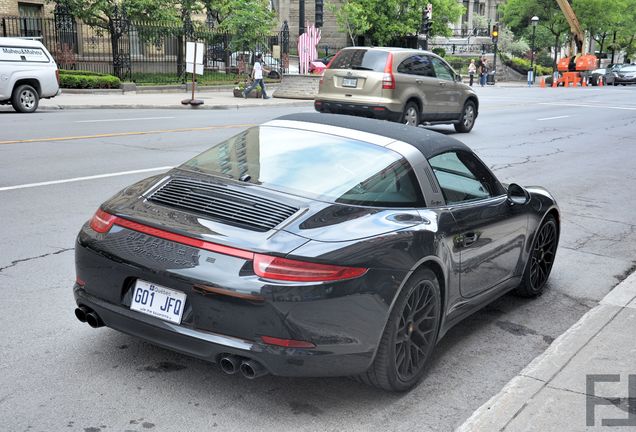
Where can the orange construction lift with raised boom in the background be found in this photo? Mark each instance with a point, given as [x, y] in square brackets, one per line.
[578, 67]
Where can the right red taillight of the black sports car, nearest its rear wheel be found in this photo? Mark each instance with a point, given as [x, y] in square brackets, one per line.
[276, 268]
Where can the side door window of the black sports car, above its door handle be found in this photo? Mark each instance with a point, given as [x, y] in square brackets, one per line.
[462, 177]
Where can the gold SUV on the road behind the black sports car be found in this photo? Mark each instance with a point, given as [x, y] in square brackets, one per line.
[405, 85]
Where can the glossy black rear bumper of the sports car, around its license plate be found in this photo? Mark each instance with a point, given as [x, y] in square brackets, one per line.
[344, 321]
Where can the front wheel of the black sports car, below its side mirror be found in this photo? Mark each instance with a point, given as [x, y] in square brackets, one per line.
[540, 261]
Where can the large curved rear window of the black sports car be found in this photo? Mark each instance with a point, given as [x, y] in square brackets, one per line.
[314, 165]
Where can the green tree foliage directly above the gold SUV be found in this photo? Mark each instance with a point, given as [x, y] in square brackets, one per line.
[385, 20]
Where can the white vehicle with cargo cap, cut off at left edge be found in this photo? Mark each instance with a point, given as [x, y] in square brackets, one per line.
[28, 73]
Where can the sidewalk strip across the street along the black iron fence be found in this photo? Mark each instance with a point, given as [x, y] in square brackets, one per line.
[212, 100]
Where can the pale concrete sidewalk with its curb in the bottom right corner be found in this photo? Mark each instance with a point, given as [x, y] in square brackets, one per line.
[555, 392]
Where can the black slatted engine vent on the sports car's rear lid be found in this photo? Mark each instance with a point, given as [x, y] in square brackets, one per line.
[223, 204]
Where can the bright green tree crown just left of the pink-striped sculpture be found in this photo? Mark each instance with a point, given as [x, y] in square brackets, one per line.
[249, 21]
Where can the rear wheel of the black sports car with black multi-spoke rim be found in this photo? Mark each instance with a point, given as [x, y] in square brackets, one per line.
[420, 299]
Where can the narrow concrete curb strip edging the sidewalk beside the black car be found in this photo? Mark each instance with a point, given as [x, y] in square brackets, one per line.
[500, 410]
